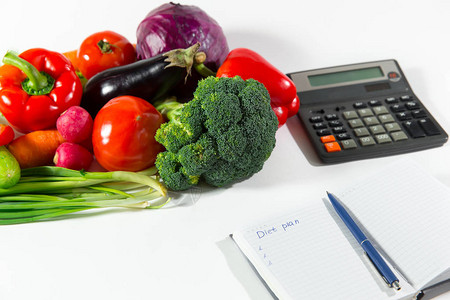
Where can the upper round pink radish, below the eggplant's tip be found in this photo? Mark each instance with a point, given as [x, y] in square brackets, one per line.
[75, 124]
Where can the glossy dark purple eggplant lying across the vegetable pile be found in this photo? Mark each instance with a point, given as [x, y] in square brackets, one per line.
[150, 79]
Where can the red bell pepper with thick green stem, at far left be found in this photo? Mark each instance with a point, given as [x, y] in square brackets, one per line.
[36, 87]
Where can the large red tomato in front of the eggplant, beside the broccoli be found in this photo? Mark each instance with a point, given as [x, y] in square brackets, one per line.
[123, 136]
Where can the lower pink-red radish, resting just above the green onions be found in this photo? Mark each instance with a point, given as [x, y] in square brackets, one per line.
[72, 156]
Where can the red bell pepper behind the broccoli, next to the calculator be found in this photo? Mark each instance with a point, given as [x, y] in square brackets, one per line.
[249, 64]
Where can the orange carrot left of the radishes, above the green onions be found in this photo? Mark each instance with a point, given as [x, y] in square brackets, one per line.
[36, 148]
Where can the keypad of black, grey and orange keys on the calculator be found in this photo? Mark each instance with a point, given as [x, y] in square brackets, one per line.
[373, 122]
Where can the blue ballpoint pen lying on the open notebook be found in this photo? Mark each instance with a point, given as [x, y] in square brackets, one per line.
[379, 263]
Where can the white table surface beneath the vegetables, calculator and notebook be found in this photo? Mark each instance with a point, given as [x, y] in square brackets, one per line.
[183, 251]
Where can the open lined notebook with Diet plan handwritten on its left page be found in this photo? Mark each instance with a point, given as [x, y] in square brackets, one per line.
[310, 254]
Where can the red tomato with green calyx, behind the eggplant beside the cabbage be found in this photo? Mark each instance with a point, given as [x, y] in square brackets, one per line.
[104, 50]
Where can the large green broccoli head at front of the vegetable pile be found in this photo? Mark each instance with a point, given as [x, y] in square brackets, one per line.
[222, 136]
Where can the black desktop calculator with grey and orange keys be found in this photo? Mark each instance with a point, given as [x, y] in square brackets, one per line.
[364, 110]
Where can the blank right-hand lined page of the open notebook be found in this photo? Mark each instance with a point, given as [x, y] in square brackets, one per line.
[409, 217]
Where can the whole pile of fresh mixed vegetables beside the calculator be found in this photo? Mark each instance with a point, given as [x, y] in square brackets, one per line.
[116, 124]
